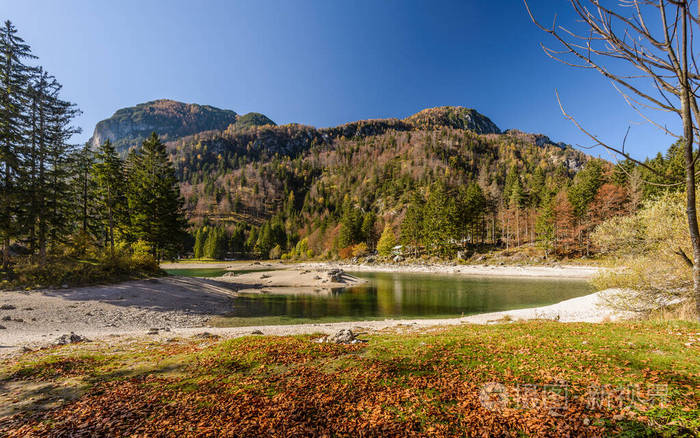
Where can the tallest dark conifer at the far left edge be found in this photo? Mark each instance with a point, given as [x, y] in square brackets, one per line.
[14, 79]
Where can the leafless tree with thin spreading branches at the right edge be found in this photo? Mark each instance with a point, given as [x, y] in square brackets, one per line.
[645, 48]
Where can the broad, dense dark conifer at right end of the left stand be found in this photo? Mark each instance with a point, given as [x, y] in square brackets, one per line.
[154, 199]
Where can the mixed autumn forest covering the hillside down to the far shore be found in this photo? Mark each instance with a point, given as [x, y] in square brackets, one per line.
[439, 191]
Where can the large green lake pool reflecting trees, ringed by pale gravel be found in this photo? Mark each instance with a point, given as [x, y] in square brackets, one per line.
[401, 295]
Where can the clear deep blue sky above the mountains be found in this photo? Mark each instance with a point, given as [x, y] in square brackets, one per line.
[324, 63]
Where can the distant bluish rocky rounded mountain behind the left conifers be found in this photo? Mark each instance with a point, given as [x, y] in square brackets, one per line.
[170, 119]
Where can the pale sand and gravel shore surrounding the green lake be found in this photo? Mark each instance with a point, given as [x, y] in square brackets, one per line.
[179, 306]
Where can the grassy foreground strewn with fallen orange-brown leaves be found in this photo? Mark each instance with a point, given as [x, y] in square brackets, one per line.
[520, 379]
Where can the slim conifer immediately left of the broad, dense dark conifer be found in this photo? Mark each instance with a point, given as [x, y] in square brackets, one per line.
[108, 172]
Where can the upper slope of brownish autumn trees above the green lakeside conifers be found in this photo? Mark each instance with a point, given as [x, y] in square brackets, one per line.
[378, 163]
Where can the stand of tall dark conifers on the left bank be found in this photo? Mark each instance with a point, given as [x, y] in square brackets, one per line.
[71, 214]
